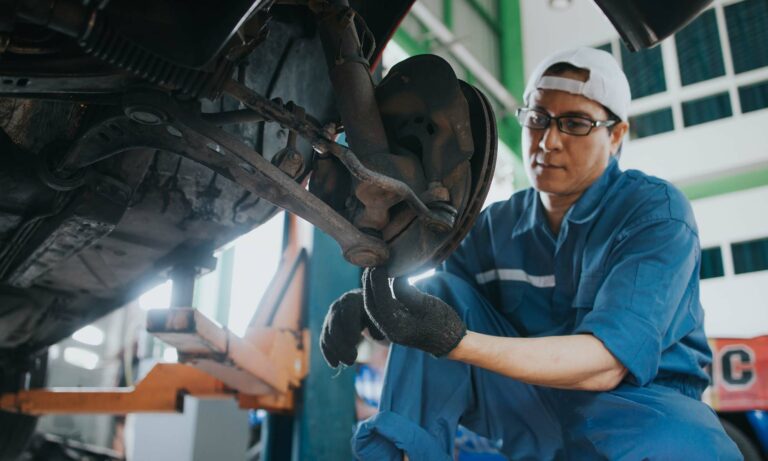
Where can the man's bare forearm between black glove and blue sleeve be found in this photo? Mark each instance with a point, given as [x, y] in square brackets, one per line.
[566, 362]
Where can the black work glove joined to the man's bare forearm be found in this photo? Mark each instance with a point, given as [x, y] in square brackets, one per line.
[410, 317]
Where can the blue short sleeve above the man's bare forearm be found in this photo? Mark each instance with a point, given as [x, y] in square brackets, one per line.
[648, 274]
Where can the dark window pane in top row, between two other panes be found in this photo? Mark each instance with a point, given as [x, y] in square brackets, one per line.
[698, 50]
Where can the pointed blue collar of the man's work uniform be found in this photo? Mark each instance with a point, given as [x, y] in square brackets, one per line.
[583, 210]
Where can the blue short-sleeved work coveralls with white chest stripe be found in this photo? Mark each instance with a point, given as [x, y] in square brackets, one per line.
[625, 268]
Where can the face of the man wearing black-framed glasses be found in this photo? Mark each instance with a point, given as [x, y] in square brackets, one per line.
[561, 164]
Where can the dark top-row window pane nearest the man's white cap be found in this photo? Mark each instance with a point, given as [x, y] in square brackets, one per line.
[645, 71]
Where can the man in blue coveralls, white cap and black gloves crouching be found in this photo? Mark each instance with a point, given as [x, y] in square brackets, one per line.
[567, 325]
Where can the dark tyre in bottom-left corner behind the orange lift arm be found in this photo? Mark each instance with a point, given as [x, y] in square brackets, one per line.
[16, 430]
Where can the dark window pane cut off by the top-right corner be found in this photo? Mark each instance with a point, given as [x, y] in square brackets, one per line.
[747, 23]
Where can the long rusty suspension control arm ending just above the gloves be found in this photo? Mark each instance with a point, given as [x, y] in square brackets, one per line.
[187, 135]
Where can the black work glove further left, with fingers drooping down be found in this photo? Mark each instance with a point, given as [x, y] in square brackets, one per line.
[342, 329]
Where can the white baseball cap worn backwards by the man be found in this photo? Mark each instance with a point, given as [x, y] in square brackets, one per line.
[606, 84]
